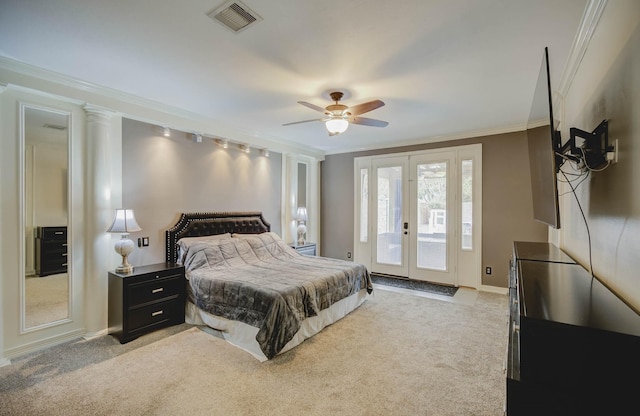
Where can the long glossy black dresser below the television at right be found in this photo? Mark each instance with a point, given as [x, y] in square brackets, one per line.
[574, 346]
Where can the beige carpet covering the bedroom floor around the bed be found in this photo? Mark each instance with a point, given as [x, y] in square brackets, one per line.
[396, 355]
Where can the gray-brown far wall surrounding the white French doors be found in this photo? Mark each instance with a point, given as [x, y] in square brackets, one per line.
[507, 208]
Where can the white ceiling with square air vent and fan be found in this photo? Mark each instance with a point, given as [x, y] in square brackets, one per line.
[444, 68]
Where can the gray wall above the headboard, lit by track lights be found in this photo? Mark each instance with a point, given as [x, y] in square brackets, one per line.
[163, 177]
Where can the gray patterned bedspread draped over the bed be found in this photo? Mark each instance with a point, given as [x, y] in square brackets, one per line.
[261, 281]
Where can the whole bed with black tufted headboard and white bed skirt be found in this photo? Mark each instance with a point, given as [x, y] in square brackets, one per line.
[246, 282]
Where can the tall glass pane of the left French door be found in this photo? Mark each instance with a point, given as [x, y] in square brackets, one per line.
[389, 233]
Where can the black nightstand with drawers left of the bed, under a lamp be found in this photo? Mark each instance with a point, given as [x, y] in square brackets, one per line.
[149, 298]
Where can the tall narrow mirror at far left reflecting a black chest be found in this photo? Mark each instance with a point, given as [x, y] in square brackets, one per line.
[45, 136]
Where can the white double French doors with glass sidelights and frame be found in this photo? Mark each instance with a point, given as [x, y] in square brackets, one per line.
[421, 218]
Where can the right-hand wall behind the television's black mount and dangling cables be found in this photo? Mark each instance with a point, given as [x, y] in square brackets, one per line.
[607, 86]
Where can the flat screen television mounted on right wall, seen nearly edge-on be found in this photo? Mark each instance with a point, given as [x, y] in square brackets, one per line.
[544, 143]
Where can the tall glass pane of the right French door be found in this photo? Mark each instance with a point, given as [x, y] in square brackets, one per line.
[432, 216]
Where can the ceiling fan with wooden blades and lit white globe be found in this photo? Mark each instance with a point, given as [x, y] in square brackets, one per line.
[339, 116]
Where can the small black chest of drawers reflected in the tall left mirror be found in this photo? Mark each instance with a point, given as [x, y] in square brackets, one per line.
[51, 250]
